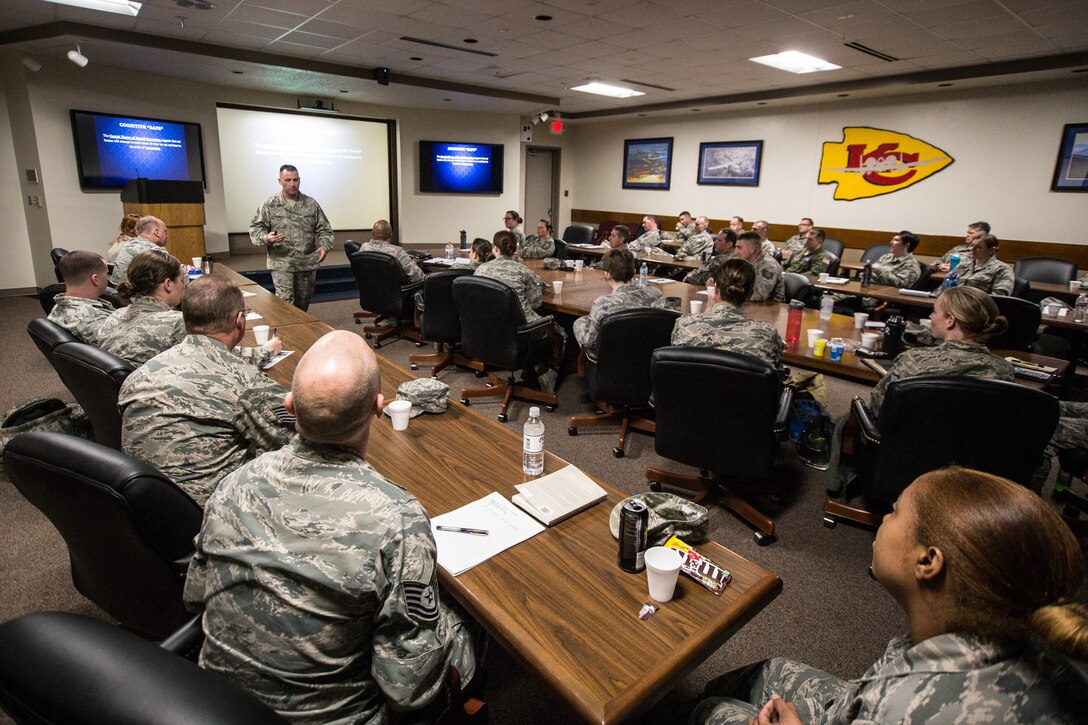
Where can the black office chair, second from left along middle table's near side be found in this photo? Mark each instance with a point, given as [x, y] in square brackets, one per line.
[439, 324]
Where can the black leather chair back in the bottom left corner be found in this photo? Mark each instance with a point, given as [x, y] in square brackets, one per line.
[60, 668]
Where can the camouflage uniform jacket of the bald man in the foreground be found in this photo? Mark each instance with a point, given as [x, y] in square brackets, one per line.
[318, 582]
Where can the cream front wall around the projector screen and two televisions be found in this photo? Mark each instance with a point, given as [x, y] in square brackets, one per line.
[89, 220]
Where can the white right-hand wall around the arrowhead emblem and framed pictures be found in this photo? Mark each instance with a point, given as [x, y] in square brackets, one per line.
[1005, 142]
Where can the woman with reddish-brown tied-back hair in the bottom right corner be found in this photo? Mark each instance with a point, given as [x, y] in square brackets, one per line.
[986, 573]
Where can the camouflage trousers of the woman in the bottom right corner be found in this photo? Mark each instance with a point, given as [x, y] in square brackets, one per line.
[737, 696]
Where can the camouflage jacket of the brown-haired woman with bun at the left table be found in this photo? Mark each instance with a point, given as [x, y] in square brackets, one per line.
[149, 326]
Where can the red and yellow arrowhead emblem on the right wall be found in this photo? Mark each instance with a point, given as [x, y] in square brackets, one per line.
[874, 162]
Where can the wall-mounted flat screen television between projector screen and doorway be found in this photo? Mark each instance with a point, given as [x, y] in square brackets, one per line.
[461, 168]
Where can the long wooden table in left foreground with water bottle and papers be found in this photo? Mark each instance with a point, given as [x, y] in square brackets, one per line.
[559, 601]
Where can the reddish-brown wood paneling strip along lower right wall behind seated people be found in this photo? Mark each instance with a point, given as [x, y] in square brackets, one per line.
[933, 245]
